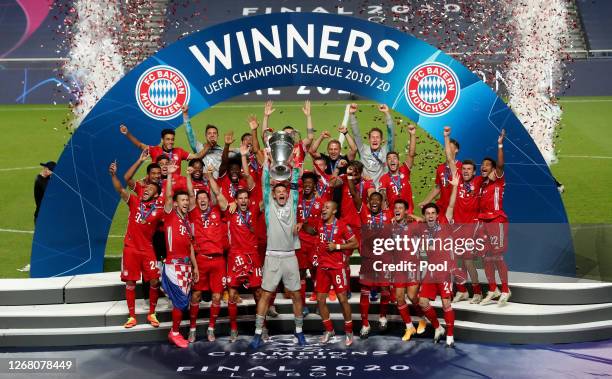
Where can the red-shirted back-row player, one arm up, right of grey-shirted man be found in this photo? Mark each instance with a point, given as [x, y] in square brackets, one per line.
[395, 184]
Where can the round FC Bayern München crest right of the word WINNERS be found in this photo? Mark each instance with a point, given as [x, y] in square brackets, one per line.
[432, 89]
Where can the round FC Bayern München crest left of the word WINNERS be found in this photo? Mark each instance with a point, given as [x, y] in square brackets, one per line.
[161, 92]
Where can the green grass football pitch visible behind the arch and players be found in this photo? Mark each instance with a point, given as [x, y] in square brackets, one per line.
[38, 133]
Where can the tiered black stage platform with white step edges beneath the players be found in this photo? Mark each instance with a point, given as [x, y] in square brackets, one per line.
[90, 310]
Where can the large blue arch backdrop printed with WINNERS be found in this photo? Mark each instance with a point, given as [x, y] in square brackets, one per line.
[80, 202]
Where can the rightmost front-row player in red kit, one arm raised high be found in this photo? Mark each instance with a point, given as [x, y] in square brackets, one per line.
[435, 233]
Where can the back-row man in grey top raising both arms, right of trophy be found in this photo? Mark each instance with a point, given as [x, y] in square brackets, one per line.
[372, 155]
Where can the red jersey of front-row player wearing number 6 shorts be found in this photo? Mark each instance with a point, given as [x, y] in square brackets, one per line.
[338, 233]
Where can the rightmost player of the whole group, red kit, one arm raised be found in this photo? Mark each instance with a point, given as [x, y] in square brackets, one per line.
[494, 223]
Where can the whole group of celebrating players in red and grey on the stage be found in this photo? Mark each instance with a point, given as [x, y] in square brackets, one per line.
[228, 224]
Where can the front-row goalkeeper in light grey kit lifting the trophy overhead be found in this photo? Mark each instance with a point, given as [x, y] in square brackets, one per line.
[280, 204]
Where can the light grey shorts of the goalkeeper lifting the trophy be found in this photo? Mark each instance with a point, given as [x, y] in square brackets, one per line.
[277, 268]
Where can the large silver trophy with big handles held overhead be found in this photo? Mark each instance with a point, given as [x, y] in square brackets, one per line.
[280, 145]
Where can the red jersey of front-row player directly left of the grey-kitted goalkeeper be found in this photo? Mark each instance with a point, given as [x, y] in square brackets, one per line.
[242, 229]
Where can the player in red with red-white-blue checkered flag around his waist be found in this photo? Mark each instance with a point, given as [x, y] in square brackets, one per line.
[180, 267]
